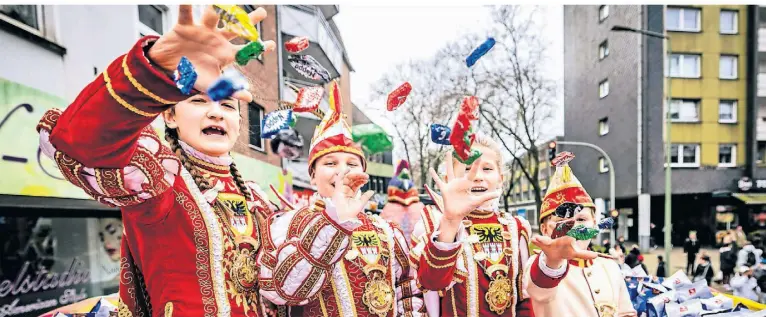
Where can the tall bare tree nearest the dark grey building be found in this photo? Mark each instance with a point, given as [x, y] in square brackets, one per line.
[515, 95]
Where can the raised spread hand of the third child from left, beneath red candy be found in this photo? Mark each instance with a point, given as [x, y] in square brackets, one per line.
[456, 192]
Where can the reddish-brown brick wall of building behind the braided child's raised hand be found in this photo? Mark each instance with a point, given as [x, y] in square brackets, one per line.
[264, 84]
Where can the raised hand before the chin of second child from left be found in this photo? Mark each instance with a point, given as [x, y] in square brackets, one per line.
[347, 205]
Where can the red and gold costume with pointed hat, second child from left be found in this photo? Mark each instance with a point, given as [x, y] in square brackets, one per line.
[315, 265]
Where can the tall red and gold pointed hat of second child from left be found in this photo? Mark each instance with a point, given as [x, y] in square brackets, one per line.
[333, 134]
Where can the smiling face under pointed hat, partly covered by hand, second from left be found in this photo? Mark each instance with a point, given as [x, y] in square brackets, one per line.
[329, 165]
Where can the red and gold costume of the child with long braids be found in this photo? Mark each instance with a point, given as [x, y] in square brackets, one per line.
[181, 255]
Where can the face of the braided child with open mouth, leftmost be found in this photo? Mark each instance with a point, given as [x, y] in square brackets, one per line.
[209, 127]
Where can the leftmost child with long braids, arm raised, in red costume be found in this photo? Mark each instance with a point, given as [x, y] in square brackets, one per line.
[192, 225]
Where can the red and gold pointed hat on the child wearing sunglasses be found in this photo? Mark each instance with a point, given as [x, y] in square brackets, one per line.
[563, 187]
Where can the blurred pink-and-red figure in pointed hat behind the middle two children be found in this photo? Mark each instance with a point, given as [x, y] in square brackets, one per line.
[403, 206]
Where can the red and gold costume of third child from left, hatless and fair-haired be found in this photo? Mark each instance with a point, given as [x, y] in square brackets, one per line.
[482, 273]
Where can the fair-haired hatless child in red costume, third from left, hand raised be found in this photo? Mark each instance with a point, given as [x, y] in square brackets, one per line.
[468, 251]
